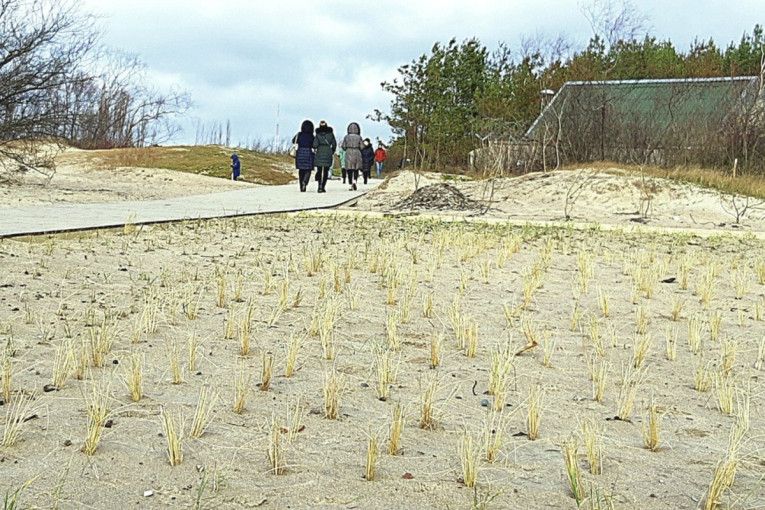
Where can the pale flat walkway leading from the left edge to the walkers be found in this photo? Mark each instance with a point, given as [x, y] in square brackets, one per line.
[44, 219]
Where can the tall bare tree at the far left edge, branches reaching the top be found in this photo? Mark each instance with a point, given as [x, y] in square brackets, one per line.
[43, 45]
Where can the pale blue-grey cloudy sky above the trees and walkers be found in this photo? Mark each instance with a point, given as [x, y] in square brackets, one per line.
[242, 59]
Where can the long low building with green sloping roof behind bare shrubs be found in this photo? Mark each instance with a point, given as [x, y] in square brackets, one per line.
[709, 122]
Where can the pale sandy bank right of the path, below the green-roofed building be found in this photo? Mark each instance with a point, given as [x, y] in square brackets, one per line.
[609, 198]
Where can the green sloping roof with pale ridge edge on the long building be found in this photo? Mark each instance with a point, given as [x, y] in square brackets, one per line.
[660, 106]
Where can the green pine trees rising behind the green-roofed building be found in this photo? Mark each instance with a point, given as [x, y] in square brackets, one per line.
[449, 101]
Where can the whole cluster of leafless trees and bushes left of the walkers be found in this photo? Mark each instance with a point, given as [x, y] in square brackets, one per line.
[57, 83]
